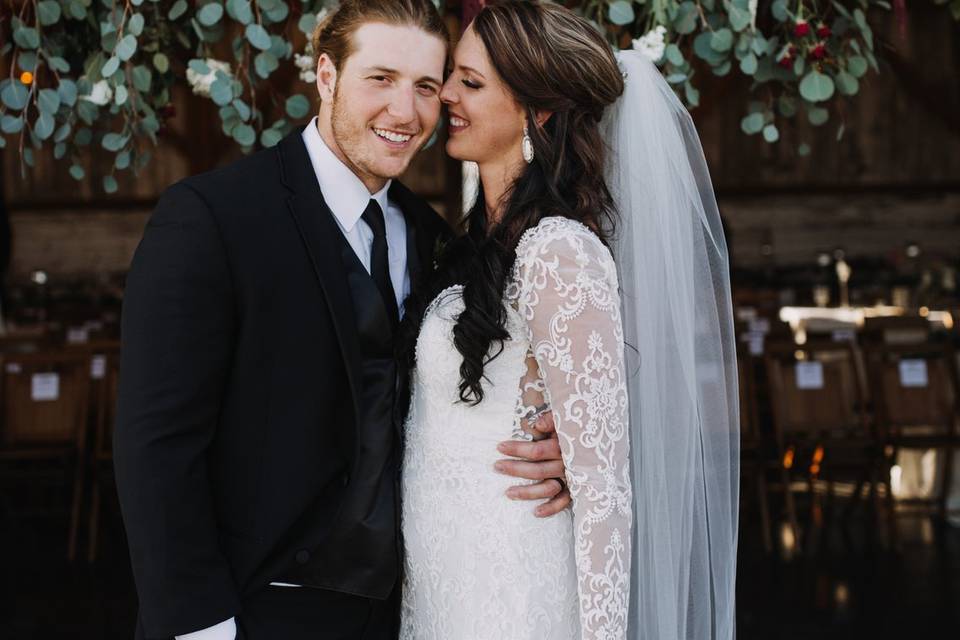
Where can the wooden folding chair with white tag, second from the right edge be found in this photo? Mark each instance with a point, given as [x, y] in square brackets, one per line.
[820, 419]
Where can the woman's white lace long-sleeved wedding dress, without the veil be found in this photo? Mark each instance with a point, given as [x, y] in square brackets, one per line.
[479, 565]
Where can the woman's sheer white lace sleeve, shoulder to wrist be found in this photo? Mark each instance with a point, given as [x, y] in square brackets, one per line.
[565, 287]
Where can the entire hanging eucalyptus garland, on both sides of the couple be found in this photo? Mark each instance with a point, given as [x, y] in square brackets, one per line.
[99, 72]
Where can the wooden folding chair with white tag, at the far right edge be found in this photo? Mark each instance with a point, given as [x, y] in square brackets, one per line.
[917, 403]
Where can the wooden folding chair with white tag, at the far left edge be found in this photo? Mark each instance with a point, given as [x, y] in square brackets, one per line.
[44, 427]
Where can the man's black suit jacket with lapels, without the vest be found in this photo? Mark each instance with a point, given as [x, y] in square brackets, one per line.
[238, 392]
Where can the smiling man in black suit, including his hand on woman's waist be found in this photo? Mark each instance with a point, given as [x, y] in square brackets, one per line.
[258, 435]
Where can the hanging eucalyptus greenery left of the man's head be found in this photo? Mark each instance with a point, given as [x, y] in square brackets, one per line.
[97, 72]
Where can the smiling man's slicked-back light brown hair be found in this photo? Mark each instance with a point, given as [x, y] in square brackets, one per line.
[334, 35]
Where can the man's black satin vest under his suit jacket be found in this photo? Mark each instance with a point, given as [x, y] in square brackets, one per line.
[363, 549]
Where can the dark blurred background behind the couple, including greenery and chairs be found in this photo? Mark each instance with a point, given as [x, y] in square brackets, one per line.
[832, 131]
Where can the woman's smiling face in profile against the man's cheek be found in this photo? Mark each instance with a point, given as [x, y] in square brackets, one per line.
[485, 120]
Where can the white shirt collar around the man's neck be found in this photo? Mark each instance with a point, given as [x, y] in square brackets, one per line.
[342, 190]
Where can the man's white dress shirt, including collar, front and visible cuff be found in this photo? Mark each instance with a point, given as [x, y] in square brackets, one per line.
[347, 198]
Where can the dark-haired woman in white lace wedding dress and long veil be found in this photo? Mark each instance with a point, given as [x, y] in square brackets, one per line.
[591, 282]
